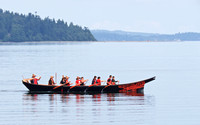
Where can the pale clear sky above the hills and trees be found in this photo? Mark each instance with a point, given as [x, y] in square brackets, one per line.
[153, 16]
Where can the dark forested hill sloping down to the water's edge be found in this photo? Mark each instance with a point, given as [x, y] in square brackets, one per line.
[16, 27]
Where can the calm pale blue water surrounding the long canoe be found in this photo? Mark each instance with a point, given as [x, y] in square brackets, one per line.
[173, 98]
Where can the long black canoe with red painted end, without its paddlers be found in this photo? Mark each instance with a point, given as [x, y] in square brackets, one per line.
[134, 86]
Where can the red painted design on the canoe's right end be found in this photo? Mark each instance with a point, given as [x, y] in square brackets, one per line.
[132, 87]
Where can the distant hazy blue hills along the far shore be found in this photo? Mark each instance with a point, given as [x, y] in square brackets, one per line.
[104, 35]
